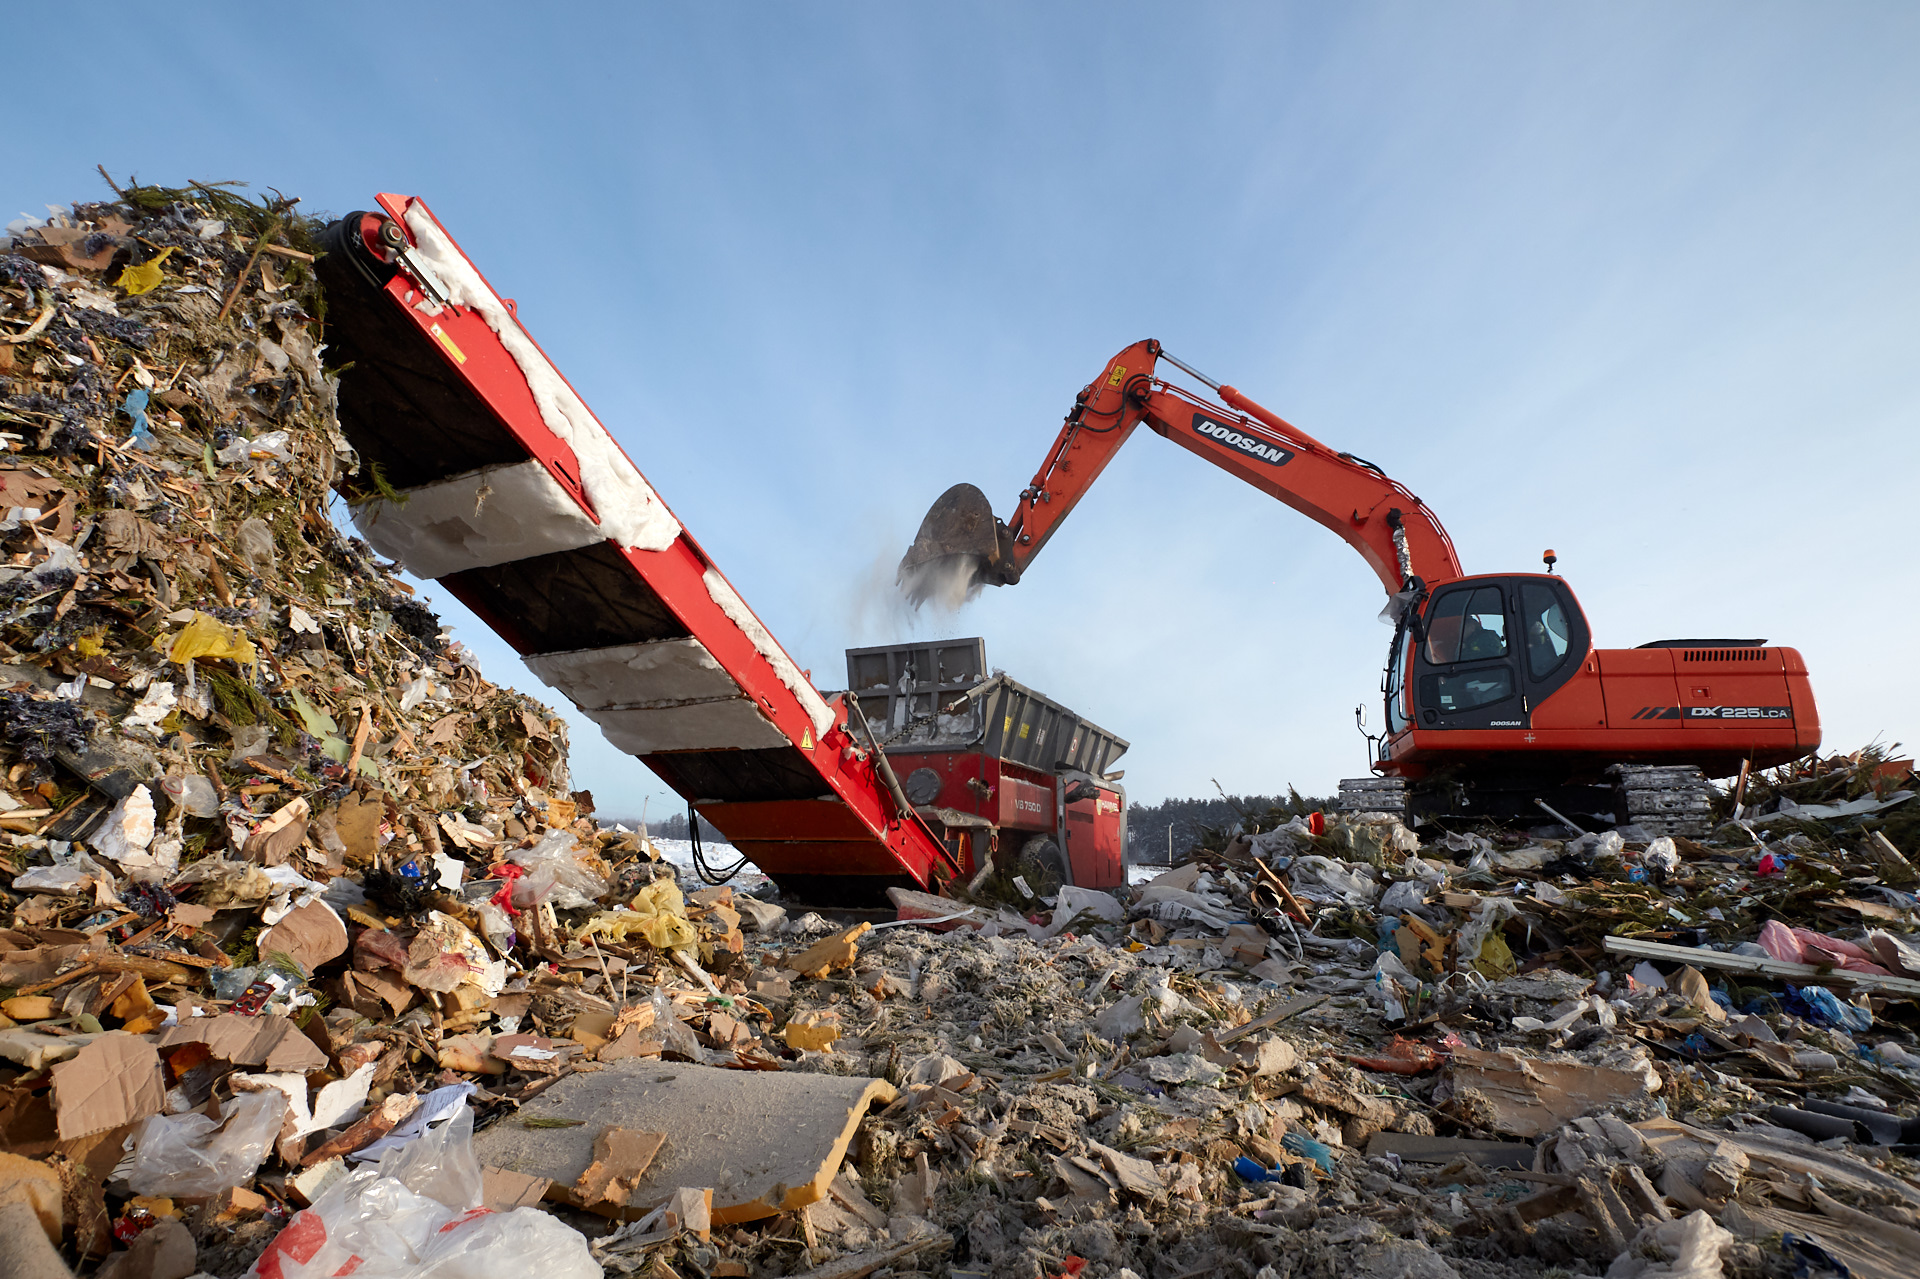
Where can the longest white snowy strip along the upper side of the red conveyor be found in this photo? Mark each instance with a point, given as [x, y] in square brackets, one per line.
[629, 510]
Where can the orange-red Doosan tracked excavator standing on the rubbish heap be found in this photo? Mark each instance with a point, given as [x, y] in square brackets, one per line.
[1497, 702]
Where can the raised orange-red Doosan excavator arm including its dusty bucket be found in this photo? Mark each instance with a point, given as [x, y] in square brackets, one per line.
[1391, 529]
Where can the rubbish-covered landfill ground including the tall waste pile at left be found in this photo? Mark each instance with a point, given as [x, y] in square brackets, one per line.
[316, 963]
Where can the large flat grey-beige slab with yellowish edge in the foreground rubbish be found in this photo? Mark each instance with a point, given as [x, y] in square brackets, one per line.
[763, 1142]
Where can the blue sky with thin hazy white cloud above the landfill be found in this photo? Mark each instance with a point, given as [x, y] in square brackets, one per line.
[1639, 283]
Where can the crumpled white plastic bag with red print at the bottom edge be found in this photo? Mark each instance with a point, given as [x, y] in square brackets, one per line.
[420, 1217]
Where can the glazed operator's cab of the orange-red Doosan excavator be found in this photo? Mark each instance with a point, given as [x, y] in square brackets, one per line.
[1483, 654]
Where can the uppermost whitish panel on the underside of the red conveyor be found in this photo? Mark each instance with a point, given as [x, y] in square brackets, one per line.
[479, 519]
